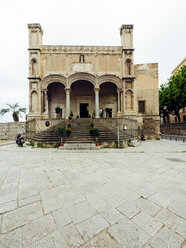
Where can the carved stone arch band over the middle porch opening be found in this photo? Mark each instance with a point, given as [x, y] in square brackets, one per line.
[82, 76]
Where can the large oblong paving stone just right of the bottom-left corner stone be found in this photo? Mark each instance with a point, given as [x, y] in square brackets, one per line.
[38, 229]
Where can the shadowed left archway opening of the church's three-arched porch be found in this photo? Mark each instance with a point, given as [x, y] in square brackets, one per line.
[56, 98]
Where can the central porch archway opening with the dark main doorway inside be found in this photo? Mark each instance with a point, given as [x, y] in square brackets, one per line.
[82, 97]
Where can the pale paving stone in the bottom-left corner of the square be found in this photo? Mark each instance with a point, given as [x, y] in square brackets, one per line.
[11, 240]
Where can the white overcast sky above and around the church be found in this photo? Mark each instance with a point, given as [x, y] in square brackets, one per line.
[159, 34]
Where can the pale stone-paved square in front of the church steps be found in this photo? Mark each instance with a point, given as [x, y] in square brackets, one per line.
[134, 197]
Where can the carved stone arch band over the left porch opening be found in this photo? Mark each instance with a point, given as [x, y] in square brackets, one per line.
[53, 78]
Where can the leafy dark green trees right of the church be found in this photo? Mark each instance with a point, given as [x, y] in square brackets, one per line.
[172, 95]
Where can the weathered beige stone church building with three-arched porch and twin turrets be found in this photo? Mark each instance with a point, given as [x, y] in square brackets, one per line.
[85, 79]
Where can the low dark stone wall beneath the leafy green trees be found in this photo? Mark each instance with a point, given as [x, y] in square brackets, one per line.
[174, 128]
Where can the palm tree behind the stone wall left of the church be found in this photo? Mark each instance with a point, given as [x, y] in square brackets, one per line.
[15, 109]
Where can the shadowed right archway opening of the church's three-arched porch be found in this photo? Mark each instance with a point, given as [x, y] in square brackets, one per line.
[108, 99]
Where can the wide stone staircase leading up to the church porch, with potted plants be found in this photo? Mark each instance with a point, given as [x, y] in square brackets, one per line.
[80, 133]
